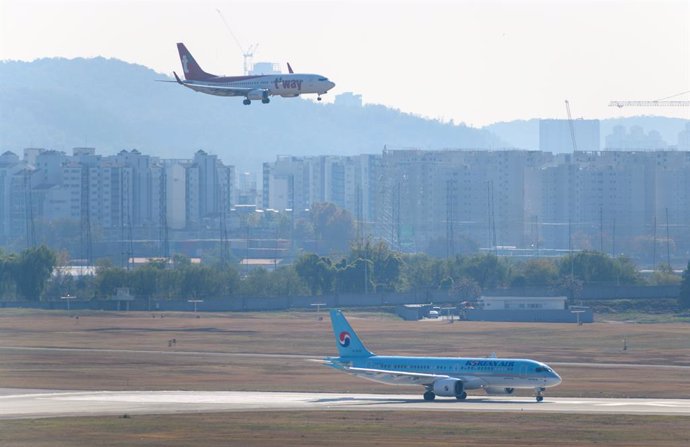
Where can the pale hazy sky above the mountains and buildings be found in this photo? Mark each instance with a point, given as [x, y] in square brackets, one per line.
[476, 62]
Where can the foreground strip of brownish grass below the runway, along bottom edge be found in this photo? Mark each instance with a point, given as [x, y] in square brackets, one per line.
[355, 428]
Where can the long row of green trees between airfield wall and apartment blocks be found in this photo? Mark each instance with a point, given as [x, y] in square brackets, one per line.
[368, 267]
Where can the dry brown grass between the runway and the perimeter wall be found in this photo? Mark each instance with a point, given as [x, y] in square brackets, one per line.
[302, 333]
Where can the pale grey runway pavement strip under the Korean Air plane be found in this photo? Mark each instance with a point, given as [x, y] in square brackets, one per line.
[24, 404]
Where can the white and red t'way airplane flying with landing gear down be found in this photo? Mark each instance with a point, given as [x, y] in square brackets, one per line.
[258, 87]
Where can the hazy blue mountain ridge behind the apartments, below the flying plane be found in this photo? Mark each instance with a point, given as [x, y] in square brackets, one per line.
[113, 105]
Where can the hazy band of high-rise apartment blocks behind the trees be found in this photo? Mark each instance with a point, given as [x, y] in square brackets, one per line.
[444, 202]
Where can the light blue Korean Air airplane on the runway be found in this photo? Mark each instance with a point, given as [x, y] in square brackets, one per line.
[440, 376]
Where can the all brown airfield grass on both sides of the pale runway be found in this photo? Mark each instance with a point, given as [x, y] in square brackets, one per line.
[198, 361]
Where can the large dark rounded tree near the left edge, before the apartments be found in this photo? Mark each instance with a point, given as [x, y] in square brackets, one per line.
[32, 270]
